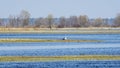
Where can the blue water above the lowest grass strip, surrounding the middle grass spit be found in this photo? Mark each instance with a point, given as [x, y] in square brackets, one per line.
[110, 47]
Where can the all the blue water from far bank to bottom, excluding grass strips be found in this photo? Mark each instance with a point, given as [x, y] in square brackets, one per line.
[109, 46]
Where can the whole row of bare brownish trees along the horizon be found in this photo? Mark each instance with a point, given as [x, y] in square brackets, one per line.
[23, 20]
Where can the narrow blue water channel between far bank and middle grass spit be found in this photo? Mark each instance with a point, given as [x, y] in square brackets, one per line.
[103, 37]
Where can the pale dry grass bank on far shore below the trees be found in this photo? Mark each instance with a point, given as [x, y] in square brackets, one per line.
[98, 30]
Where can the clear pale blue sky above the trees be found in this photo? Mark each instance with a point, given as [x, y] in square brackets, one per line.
[58, 8]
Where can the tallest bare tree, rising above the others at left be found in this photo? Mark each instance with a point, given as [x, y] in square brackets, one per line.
[24, 18]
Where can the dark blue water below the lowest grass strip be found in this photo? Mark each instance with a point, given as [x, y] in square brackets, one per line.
[63, 64]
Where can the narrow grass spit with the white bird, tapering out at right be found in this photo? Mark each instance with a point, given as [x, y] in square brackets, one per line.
[45, 40]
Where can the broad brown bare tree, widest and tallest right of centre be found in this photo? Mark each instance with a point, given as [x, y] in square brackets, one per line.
[83, 21]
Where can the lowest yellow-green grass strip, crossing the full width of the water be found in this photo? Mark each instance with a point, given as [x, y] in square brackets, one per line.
[56, 58]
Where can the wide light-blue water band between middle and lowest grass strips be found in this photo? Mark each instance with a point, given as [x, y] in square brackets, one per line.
[42, 49]
